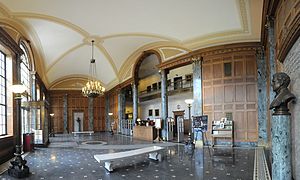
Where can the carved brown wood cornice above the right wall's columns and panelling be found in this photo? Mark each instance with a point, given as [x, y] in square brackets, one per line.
[202, 53]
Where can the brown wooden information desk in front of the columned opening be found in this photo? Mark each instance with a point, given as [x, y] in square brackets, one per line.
[147, 133]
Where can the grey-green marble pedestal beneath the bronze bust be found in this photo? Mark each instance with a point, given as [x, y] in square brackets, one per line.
[281, 147]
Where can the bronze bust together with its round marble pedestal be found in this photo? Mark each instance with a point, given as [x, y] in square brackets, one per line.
[281, 128]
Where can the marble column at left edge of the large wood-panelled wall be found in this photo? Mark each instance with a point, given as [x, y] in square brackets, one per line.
[197, 94]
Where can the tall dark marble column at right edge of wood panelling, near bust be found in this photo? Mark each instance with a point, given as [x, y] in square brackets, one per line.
[262, 101]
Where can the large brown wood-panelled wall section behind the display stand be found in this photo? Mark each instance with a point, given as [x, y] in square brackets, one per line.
[235, 93]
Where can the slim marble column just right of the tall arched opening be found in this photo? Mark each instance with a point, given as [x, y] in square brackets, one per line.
[164, 103]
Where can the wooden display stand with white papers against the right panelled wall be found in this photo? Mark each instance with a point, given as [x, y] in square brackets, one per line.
[222, 129]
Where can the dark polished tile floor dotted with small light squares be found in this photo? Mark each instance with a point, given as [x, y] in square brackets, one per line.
[71, 158]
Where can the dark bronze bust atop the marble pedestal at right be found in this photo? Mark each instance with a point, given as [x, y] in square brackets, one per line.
[280, 83]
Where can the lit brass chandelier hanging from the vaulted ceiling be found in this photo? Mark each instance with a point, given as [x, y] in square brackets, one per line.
[93, 87]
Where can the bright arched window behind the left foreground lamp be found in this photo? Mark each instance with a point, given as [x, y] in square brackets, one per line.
[25, 80]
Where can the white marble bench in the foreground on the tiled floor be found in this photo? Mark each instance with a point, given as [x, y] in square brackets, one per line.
[107, 158]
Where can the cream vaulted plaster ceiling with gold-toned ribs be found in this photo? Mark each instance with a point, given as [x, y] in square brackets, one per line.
[61, 31]
